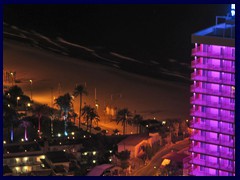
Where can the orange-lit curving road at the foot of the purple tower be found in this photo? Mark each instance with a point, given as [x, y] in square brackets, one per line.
[149, 169]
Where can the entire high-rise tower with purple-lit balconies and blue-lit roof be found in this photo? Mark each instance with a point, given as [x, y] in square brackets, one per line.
[213, 101]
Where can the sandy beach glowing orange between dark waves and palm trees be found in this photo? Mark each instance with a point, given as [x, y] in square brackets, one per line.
[54, 75]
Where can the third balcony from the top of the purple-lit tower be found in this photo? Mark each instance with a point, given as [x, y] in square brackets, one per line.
[216, 80]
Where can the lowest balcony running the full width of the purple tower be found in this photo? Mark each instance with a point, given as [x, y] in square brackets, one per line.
[213, 165]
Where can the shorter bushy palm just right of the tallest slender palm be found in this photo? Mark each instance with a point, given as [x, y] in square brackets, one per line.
[90, 114]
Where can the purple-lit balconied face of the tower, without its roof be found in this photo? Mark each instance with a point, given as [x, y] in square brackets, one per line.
[213, 82]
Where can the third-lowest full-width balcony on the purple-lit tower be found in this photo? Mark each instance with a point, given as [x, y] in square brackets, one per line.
[209, 140]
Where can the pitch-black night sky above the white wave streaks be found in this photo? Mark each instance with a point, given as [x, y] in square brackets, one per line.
[147, 32]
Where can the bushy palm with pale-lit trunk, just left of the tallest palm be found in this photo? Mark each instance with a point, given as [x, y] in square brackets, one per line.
[65, 104]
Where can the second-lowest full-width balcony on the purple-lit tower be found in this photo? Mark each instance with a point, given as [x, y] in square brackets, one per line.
[207, 151]
